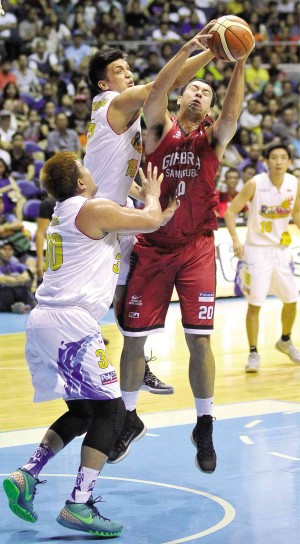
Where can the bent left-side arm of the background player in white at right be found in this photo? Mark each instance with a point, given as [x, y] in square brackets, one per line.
[238, 203]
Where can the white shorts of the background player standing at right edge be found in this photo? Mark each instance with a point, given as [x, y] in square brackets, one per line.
[268, 270]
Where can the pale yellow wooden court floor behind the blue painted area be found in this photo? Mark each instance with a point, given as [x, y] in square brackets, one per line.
[277, 380]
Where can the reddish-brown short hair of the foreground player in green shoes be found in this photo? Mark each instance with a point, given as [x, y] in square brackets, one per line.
[59, 175]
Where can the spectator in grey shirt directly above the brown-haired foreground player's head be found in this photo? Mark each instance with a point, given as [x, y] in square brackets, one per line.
[62, 138]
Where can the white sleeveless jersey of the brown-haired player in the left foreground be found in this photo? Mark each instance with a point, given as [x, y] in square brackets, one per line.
[79, 271]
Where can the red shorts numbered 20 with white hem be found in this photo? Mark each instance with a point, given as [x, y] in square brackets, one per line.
[154, 271]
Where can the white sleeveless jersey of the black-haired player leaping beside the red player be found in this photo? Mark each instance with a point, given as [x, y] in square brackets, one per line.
[113, 159]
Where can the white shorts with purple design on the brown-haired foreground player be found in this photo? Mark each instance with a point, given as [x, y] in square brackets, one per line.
[66, 356]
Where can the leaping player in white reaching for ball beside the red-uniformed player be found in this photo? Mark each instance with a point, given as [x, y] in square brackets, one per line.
[114, 148]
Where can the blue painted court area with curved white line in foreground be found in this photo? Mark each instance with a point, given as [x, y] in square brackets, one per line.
[162, 498]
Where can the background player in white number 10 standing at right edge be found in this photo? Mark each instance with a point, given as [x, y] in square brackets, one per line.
[274, 199]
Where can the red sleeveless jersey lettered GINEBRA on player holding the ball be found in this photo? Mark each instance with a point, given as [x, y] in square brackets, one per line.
[189, 165]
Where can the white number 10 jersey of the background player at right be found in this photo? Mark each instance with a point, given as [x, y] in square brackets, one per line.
[271, 210]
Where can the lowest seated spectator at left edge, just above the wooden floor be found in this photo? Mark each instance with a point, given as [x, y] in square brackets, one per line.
[15, 282]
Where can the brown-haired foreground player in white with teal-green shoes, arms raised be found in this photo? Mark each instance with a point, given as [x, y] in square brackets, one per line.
[65, 351]
